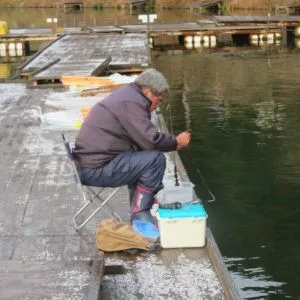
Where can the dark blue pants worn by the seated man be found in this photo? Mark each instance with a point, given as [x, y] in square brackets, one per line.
[145, 168]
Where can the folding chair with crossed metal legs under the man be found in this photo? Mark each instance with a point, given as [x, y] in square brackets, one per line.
[88, 193]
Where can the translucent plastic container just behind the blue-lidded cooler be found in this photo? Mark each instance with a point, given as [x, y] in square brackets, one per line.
[184, 193]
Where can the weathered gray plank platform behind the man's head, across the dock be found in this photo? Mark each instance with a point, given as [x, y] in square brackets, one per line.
[83, 54]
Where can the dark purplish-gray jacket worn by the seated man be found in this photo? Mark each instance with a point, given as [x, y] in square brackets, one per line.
[119, 123]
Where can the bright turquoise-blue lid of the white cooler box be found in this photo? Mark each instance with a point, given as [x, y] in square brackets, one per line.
[187, 211]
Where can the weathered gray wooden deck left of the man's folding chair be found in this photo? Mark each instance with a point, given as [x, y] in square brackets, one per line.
[41, 256]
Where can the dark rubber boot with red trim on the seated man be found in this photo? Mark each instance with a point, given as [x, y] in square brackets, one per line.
[141, 202]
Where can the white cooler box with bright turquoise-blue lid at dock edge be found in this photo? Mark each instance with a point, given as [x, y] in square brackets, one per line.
[182, 228]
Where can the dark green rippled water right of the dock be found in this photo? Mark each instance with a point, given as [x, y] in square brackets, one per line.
[244, 112]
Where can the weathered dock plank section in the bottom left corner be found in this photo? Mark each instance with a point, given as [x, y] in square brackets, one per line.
[40, 279]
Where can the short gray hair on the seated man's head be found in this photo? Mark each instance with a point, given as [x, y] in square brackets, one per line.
[154, 80]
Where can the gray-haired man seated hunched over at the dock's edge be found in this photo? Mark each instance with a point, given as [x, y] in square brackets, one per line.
[119, 145]
